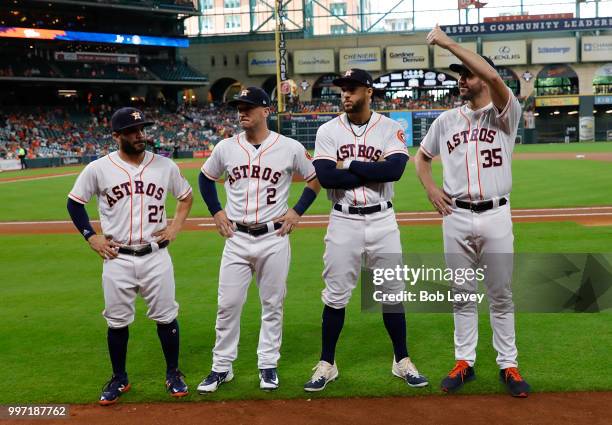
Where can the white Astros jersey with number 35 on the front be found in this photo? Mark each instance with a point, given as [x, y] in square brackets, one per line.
[476, 149]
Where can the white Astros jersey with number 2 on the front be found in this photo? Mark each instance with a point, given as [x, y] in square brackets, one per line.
[257, 180]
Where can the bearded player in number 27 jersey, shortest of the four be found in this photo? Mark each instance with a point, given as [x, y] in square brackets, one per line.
[131, 186]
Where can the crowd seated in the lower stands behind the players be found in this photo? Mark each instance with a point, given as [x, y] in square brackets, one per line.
[77, 131]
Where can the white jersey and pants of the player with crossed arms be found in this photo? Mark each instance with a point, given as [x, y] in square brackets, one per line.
[349, 236]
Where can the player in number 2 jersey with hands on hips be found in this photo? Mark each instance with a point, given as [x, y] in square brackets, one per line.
[257, 165]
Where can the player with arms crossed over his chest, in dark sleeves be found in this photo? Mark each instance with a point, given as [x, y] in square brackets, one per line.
[358, 156]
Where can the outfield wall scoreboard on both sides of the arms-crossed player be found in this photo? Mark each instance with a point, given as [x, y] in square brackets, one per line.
[303, 126]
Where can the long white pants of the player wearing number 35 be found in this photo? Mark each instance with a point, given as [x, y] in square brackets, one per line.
[484, 240]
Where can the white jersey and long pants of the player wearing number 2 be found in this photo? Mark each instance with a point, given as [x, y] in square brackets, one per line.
[257, 182]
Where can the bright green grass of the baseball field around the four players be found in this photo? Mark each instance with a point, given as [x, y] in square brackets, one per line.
[54, 337]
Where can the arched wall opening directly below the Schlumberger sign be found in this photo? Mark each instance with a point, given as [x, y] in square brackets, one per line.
[557, 104]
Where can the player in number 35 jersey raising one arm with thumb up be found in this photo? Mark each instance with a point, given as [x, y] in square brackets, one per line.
[475, 144]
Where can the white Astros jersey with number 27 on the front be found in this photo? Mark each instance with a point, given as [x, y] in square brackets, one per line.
[131, 200]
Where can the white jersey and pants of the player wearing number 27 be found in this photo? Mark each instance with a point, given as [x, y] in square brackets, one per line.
[131, 203]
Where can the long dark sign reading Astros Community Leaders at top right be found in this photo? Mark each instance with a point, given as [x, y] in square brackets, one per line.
[528, 26]
